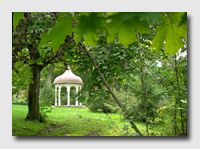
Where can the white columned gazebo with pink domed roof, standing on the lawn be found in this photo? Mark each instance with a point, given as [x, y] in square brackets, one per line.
[67, 79]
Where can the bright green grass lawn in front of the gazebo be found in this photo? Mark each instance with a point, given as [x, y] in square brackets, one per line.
[75, 122]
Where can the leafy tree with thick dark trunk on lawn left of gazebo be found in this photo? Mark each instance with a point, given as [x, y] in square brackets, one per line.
[26, 38]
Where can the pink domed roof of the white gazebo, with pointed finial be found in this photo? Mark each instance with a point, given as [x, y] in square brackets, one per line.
[67, 76]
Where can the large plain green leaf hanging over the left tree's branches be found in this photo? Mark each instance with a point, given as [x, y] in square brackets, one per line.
[58, 34]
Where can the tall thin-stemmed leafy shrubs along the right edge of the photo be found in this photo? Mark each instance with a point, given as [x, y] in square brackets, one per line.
[175, 81]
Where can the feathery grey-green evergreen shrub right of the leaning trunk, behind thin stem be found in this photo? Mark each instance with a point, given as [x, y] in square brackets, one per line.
[154, 95]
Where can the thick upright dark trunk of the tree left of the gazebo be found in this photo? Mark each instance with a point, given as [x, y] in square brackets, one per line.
[33, 94]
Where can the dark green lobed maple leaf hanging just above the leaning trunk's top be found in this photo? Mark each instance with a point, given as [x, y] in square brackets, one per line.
[87, 27]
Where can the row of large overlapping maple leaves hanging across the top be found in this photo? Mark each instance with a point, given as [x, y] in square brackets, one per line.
[170, 30]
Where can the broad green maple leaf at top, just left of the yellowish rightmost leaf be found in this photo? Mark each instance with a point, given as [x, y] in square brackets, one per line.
[126, 27]
